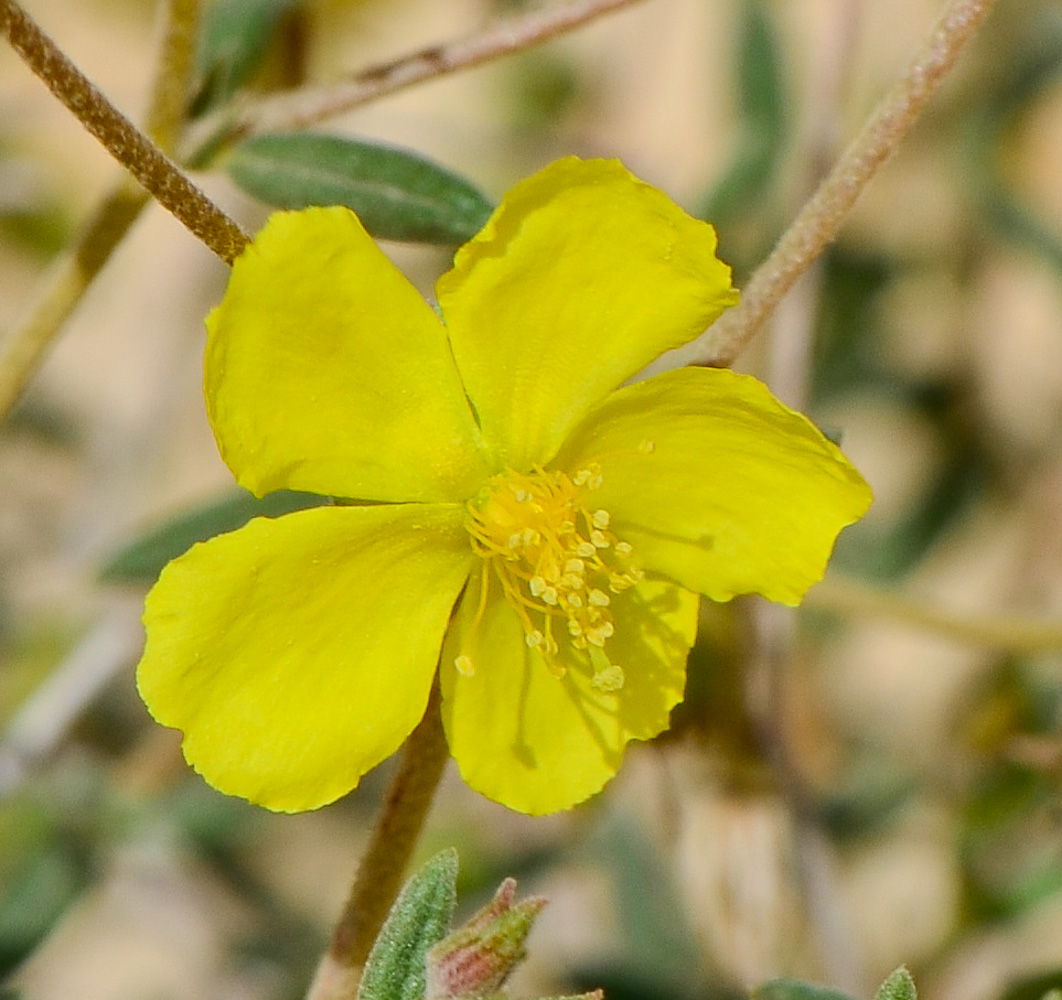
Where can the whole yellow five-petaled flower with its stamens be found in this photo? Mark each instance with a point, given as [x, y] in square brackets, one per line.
[534, 532]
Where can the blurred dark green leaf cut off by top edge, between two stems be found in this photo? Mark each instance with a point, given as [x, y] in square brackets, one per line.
[234, 40]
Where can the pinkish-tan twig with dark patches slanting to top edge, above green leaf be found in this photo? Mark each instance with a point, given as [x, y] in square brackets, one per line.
[307, 106]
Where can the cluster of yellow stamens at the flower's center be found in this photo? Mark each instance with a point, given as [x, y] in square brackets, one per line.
[557, 561]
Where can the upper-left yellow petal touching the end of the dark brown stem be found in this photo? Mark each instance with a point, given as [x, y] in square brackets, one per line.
[328, 372]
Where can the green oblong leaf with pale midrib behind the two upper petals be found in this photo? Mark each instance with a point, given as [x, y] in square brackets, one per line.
[398, 195]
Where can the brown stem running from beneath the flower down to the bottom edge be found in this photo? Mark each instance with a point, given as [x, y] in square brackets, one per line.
[380, 875]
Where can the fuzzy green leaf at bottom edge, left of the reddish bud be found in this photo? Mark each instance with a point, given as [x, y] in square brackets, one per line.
[420, 919]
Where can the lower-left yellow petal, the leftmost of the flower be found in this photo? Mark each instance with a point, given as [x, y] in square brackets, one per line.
[298, 653]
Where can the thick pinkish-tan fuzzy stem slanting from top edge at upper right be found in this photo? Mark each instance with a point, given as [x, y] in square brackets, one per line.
[820, 219]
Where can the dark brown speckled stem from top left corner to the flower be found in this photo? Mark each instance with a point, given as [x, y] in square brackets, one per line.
[122, 139]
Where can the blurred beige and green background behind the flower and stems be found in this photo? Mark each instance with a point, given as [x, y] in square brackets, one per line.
[870, 781]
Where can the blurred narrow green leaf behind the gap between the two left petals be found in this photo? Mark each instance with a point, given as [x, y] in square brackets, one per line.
[143, 561]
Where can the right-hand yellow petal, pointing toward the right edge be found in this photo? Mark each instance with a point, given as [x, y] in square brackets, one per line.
[717, 485]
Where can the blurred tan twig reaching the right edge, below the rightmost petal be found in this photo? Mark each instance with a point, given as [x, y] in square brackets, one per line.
[1016, 635]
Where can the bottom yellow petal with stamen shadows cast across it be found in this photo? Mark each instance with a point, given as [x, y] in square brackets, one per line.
[540, 744]
